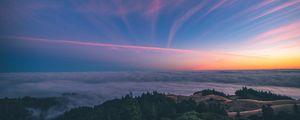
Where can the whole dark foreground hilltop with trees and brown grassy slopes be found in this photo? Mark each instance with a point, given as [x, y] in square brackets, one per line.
[202, 105]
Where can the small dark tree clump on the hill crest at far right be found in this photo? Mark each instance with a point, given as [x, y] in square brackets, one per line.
[249, 93]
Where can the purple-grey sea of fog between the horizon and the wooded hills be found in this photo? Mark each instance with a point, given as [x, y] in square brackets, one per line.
[91, 88]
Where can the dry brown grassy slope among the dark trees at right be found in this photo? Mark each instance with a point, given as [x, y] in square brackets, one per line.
[246, 107]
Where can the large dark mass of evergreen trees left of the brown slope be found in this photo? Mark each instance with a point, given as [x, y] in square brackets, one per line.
[148, 106]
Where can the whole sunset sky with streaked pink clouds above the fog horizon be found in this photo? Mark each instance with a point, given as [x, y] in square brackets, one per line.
[130, 35]
